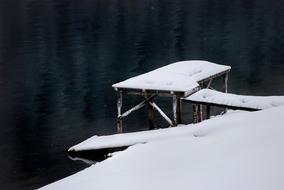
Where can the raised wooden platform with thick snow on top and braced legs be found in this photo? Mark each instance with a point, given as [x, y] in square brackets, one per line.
[176, 80]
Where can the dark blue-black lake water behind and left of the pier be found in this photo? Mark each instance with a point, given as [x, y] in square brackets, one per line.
[58, 59]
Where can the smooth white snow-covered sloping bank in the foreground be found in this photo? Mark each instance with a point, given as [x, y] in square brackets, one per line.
[242, 150]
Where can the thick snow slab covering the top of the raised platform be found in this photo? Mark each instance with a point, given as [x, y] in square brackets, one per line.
[181, 76]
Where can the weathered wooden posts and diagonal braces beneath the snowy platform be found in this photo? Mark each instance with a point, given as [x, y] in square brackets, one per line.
[176, 104]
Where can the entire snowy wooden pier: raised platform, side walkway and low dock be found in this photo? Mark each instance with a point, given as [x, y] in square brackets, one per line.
[189, 82]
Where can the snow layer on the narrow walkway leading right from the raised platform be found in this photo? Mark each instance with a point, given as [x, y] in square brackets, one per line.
[256, 102]
